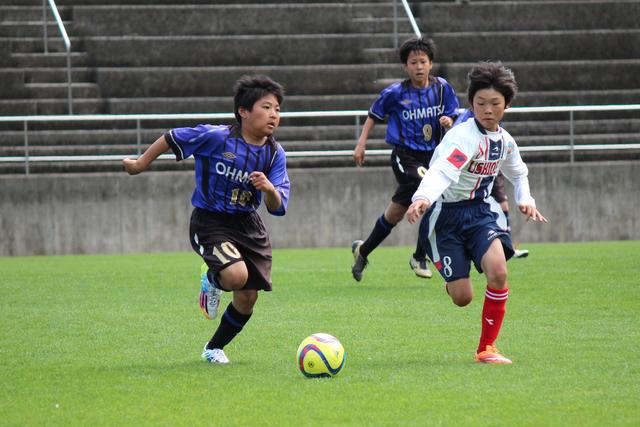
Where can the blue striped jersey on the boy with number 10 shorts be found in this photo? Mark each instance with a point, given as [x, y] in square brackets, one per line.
[224, 162]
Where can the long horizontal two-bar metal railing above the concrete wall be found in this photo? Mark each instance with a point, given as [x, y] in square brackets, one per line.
[357, 114]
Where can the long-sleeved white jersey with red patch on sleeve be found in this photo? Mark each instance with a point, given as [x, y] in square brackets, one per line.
[466, 162]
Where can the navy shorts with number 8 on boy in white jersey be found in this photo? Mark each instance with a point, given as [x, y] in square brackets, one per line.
[454, 234]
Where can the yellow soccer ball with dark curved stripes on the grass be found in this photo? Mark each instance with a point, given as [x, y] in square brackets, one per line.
[320, 355]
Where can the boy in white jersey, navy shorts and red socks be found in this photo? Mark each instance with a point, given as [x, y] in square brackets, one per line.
[460, 224]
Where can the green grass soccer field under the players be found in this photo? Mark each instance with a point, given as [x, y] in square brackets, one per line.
[116, 340]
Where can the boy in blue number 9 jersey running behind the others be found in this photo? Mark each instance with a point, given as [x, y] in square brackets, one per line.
[419, 110]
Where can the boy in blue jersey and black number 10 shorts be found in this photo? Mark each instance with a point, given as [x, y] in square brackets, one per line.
[235, 168]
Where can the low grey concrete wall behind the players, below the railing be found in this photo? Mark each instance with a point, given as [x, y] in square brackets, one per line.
[102, 213]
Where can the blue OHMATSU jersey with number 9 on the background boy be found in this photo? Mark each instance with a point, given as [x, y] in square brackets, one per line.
[413, 114]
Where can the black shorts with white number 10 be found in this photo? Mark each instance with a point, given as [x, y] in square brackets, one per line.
[222, 240]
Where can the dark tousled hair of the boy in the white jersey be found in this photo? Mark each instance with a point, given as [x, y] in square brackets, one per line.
[494, 75]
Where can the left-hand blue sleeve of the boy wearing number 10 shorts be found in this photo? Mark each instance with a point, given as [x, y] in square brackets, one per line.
[185, 142]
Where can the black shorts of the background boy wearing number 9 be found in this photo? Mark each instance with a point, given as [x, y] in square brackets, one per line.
[409, 166]
